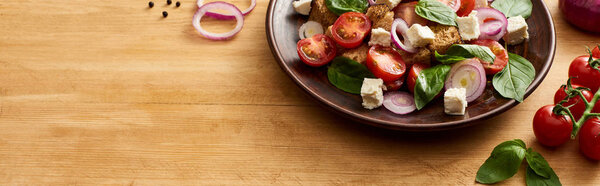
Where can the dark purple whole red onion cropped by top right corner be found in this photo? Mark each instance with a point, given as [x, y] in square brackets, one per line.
[584, 14]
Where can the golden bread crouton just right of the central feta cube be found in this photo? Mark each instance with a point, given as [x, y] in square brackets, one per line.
[445, 36]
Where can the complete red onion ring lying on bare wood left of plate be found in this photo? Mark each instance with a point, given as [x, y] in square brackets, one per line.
[218, 5]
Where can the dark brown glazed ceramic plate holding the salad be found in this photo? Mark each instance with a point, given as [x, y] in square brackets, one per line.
[282, 31]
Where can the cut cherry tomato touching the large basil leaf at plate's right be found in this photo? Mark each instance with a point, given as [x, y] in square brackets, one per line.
[499, 51]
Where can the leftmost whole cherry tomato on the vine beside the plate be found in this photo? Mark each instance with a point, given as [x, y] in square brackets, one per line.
[550, 129]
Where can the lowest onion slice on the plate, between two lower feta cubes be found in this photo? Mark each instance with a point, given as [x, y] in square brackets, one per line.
[399, 102]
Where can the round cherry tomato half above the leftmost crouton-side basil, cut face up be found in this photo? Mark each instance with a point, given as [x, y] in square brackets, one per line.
[350, 29]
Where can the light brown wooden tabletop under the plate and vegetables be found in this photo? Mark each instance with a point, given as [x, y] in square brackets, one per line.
[110, 92]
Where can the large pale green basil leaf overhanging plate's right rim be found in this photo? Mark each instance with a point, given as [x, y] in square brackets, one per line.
[513, 80]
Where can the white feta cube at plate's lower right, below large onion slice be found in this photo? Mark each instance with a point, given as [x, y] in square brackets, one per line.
[455, 101]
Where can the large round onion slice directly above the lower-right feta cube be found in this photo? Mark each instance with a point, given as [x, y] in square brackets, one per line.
[468, 74]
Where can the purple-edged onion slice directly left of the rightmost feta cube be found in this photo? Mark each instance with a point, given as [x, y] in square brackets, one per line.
[489, 18]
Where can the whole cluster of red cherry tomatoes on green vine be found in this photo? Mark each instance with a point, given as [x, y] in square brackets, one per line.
[576, 110]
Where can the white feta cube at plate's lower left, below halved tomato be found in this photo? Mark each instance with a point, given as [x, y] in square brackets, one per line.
[372, 93]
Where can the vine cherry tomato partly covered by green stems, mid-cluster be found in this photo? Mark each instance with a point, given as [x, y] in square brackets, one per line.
[578, 109]
